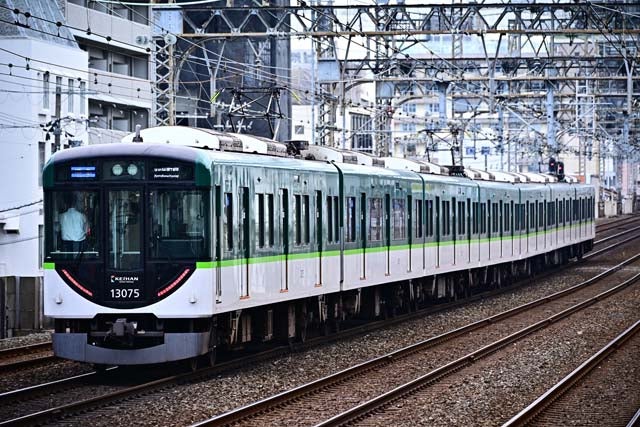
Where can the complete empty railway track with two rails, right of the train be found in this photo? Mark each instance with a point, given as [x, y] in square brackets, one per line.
[358, 392]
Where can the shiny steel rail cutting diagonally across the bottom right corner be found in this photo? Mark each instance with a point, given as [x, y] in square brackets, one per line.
[529, 413]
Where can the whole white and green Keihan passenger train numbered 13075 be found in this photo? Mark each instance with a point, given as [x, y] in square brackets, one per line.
[191, 241]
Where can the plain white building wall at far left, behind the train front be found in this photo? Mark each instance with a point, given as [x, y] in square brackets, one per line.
[21, 112]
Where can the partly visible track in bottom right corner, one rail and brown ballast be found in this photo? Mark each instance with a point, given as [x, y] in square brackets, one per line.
[564, 400]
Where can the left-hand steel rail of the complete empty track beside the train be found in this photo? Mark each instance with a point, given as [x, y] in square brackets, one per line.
[246, 412]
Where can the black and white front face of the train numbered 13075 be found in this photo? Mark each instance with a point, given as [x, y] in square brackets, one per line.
[128, 253]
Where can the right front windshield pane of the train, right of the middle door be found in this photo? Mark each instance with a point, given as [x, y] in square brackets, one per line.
[179, 224]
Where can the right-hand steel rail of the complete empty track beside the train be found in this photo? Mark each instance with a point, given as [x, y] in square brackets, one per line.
[361, 411]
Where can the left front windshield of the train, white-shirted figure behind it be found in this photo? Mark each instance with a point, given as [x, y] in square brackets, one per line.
[75, 230]
